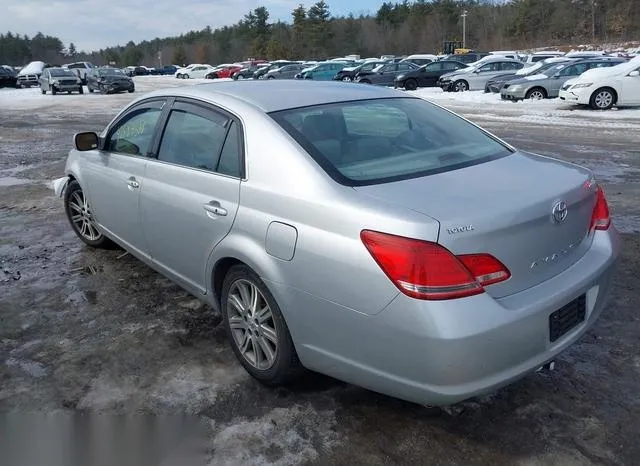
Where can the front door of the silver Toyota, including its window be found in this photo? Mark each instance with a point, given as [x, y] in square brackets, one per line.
[115, 174]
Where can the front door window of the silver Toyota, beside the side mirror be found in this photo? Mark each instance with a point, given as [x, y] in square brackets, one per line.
[134, 133]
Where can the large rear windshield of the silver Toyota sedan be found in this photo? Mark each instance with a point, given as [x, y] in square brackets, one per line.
[383, 140]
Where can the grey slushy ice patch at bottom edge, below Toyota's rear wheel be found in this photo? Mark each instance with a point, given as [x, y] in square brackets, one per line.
[283, 437]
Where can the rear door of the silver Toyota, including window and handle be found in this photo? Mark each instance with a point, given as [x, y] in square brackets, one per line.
[192, 188]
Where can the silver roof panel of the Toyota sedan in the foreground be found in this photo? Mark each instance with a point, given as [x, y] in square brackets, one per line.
[274, 95]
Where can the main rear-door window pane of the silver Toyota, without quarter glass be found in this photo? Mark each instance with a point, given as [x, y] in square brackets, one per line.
[193, 140]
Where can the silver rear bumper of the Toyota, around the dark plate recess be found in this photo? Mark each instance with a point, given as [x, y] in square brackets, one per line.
[439, 353]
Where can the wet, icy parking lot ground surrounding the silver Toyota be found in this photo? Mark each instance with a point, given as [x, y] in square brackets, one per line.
[91, 330]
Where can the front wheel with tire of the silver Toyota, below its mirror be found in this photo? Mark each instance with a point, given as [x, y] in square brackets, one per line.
[79, 214]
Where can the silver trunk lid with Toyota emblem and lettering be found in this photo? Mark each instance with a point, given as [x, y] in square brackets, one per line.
[505, 208]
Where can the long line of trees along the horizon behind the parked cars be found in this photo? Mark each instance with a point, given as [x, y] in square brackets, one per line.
[420, 26]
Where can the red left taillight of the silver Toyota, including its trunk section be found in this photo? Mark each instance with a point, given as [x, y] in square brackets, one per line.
[426, 270]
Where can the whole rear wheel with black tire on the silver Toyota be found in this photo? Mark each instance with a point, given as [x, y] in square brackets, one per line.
[256, 328]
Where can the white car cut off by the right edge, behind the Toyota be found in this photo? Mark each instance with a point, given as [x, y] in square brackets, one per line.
[602, 88]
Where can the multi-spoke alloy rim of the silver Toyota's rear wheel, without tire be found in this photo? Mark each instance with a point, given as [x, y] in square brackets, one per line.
[252, 324]
